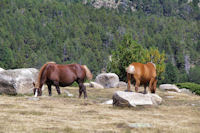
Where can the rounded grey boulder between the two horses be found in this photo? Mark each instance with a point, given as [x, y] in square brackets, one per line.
[108, 80]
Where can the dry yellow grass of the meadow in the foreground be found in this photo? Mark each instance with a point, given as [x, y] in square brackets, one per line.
[60, 114]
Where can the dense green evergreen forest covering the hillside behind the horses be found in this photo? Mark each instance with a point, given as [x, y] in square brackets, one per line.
[33, 32]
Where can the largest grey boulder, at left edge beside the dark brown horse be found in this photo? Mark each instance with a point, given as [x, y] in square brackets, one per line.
[18, 81]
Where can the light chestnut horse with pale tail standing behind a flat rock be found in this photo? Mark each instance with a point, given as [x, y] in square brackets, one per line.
[143, 74]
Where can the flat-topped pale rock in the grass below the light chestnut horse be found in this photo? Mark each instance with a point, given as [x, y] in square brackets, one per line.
[128, 99]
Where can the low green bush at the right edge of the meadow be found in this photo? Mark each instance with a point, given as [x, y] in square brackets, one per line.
[191, 86]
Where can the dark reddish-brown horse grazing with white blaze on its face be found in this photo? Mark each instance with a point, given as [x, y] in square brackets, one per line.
[62, 75]
